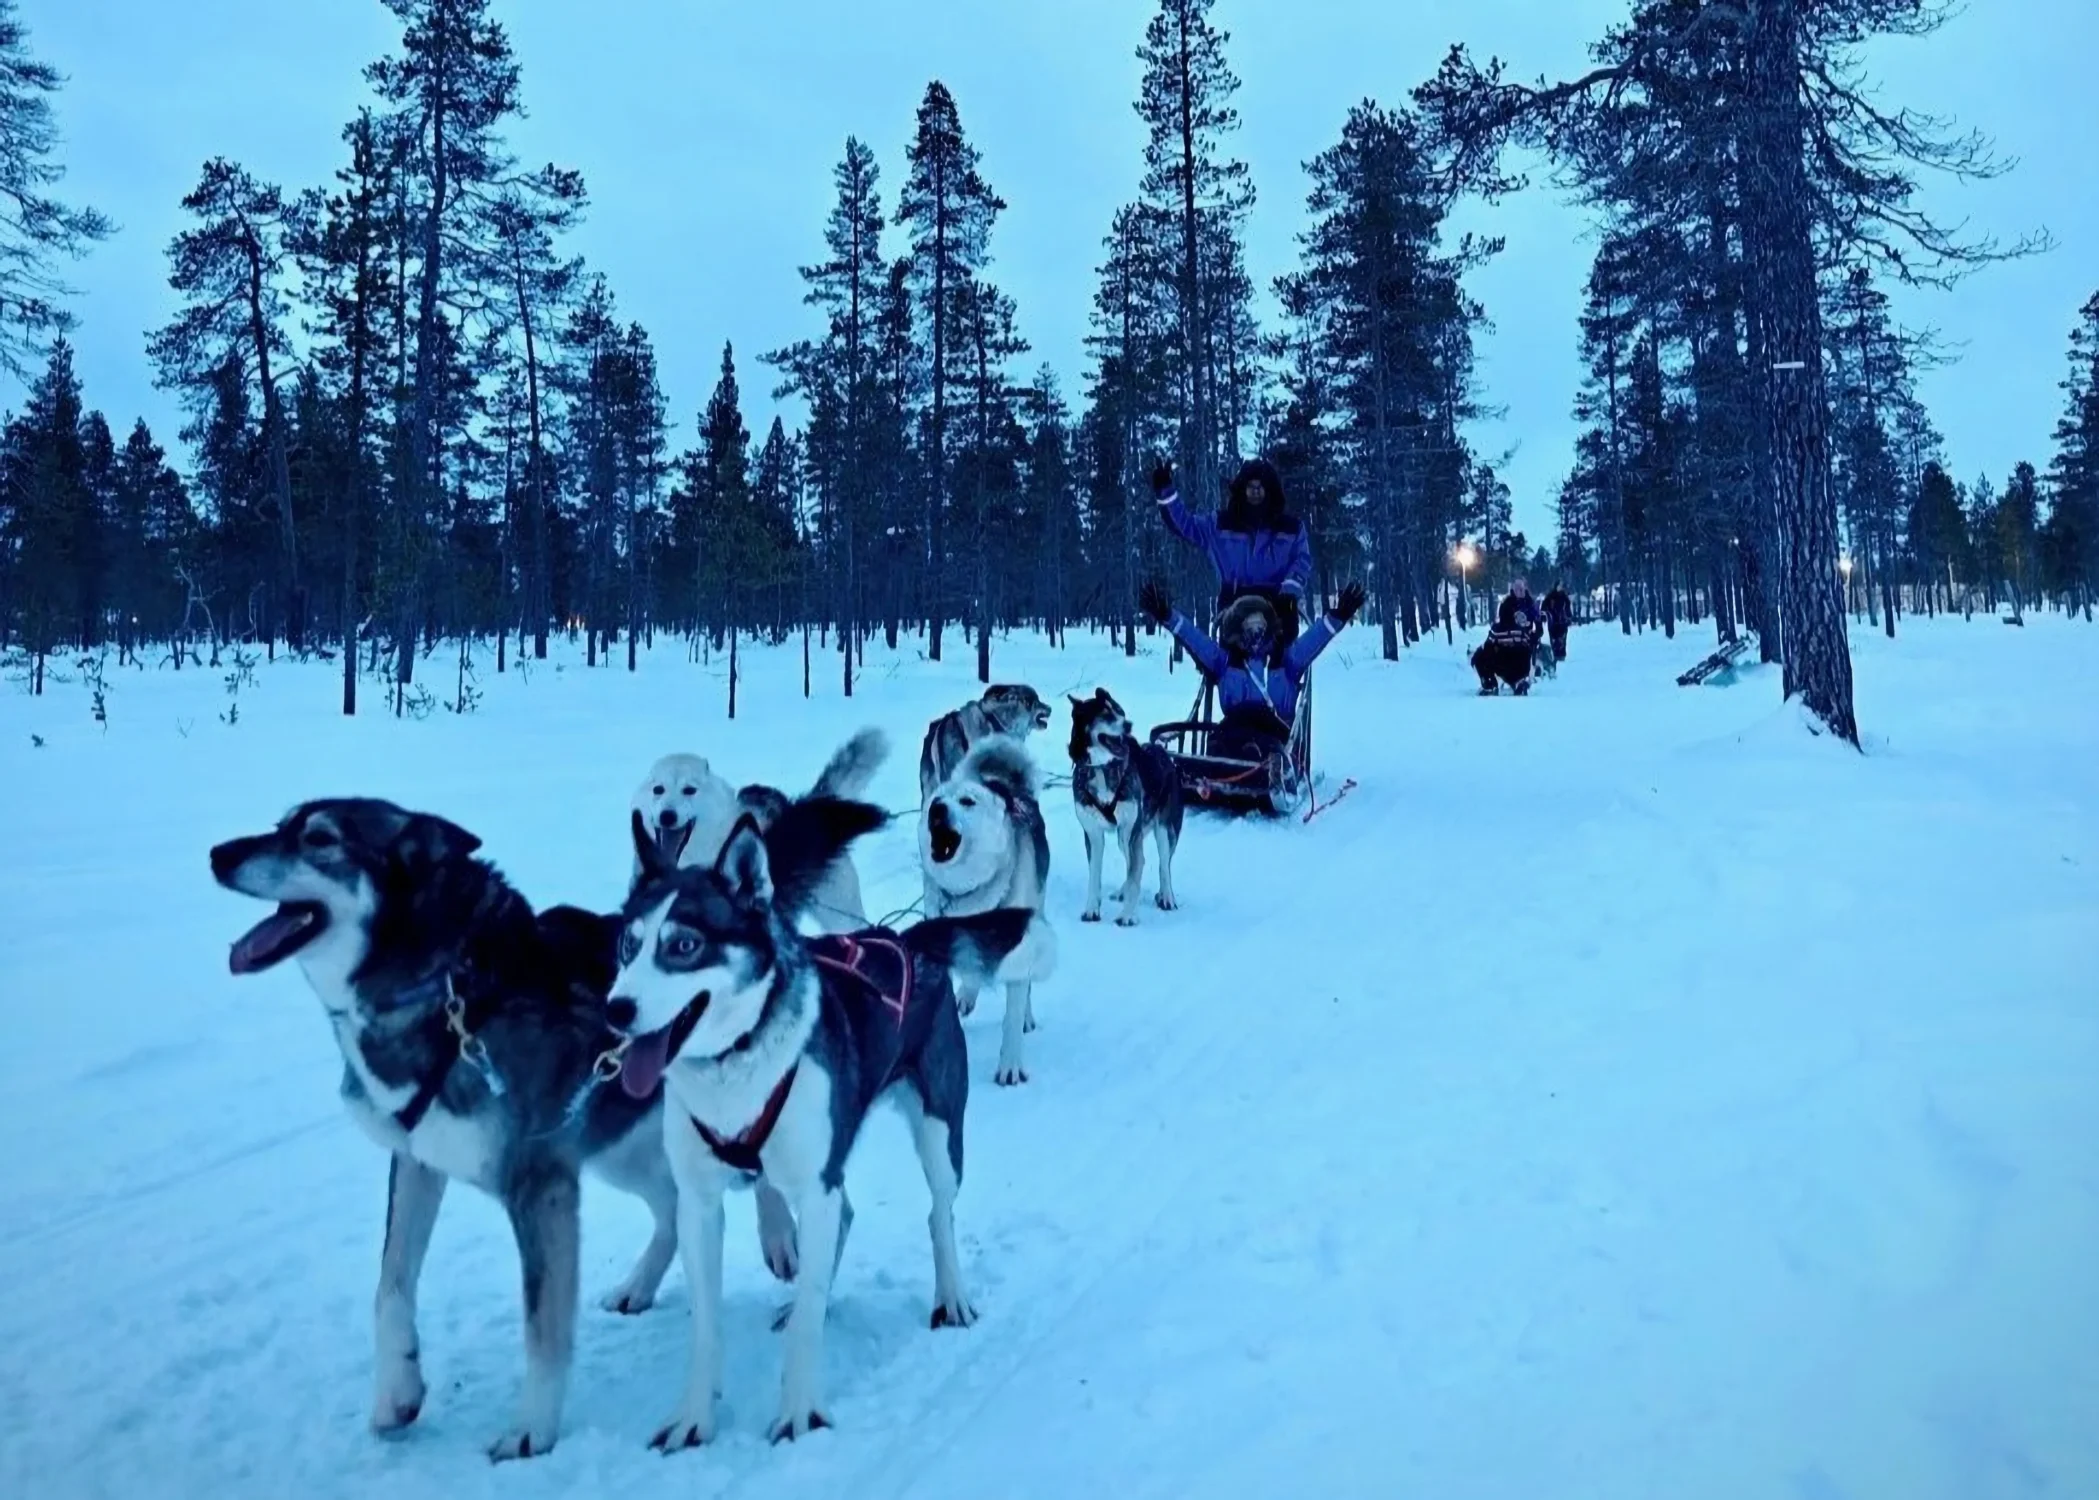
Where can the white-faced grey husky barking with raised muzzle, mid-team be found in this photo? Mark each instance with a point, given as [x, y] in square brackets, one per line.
[985, 847]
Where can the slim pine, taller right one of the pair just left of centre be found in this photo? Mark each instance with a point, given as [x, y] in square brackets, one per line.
[950, 211]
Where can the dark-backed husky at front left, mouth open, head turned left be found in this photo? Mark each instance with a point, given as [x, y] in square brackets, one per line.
[473, 1044]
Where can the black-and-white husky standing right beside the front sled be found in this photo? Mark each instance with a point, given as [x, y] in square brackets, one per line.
[1122, 788]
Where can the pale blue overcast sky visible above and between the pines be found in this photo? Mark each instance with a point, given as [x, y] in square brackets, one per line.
[708, 133]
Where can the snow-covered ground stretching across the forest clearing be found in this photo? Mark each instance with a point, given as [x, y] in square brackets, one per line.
[1617, 1096]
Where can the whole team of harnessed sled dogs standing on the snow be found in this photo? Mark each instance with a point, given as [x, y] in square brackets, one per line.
[732, 1027]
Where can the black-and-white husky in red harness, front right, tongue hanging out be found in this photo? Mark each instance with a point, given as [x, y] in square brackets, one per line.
[773, 1050]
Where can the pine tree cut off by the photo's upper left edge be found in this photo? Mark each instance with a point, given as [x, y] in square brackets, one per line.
[37, 230]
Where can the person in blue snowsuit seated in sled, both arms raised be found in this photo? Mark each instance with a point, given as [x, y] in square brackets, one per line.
[1256, 672]
